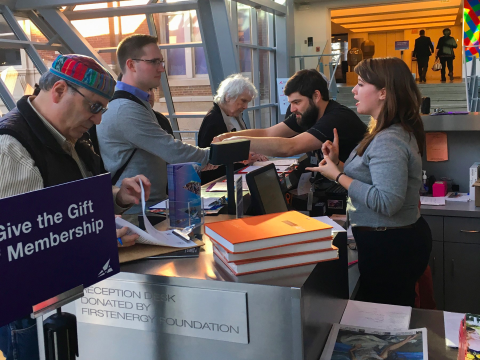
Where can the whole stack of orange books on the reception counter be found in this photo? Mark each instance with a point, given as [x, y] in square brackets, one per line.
[270, 242]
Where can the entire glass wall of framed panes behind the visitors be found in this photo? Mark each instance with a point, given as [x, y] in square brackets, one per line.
[180, 40]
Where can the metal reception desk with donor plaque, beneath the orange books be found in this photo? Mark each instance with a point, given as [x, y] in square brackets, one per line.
[199, 310]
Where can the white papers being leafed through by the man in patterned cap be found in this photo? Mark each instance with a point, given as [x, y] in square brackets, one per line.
[153, 236]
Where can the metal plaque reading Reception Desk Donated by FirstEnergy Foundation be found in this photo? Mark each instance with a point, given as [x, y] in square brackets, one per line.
[196, 312]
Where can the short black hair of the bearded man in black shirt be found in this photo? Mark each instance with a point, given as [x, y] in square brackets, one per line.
[306, 82]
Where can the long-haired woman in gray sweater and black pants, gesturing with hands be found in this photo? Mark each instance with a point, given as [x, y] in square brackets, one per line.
[383, 178]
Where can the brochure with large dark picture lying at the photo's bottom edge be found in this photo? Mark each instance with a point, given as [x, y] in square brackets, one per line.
[349, 342]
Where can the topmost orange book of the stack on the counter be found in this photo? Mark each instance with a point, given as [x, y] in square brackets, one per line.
[265, 231]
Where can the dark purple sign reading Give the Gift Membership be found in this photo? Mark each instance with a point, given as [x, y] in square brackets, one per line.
[53, 240]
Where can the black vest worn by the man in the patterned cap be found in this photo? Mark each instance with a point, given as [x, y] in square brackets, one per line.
[55, 165]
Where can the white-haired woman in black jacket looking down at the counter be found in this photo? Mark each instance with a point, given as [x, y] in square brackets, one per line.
[231, 99]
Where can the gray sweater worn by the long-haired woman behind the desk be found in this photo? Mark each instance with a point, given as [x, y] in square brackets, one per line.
[387, 180]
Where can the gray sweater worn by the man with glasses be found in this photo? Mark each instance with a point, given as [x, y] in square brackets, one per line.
[128, 125]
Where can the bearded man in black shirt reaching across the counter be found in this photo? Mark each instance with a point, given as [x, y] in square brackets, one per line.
[313, 118]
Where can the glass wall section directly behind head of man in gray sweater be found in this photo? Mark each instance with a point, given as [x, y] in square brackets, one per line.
[180, 41]
